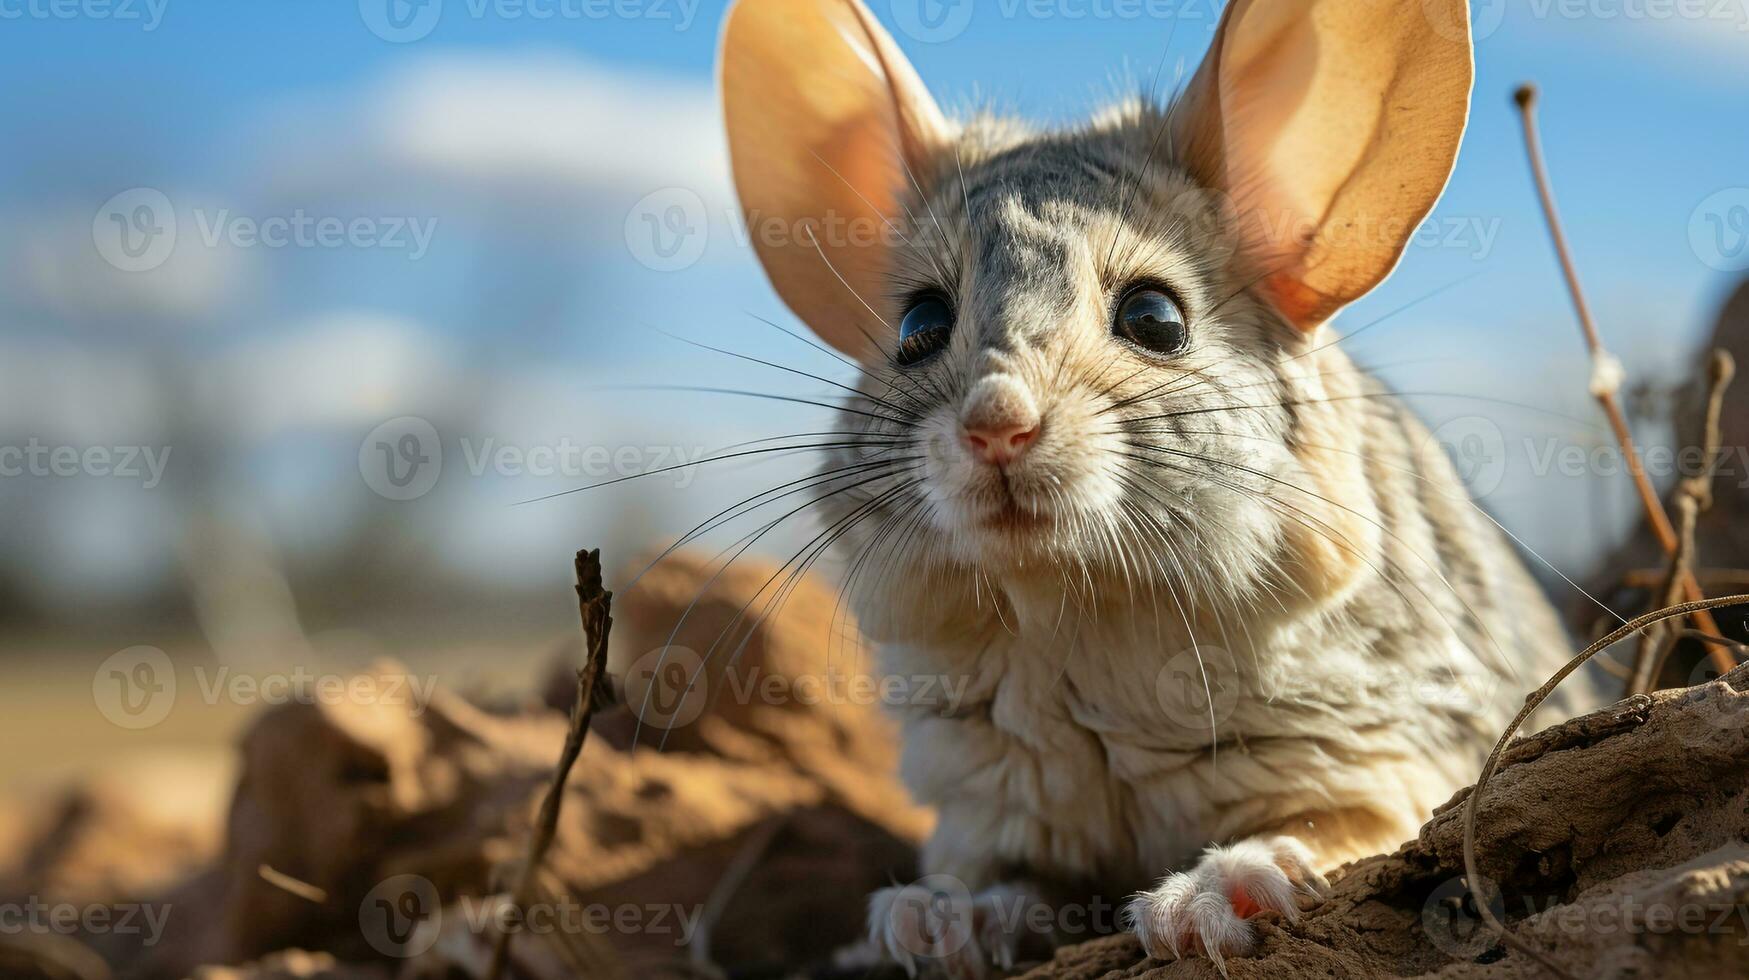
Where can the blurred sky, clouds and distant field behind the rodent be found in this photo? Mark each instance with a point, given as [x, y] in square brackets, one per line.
[312, 314]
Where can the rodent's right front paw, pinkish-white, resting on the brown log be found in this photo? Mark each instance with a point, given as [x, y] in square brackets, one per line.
[1208, 909]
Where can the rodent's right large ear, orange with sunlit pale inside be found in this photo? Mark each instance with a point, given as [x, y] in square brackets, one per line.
[1334, 127]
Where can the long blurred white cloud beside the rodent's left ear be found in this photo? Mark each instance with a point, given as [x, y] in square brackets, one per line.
[531, 125]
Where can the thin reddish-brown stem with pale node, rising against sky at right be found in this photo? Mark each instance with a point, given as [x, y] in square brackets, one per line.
[1606, 372]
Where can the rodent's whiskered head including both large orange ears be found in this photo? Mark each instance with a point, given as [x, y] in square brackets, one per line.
[1094, 353]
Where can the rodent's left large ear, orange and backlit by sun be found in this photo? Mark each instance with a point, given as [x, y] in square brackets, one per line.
[825, 120]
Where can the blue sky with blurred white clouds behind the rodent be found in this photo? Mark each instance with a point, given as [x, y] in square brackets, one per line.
[533, 139]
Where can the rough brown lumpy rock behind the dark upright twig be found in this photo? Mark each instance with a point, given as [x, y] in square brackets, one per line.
[400, 822]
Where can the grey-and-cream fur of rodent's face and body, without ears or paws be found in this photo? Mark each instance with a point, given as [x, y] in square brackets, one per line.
[1255, 508]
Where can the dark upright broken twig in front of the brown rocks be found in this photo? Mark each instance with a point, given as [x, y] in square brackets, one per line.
[596, 606]
